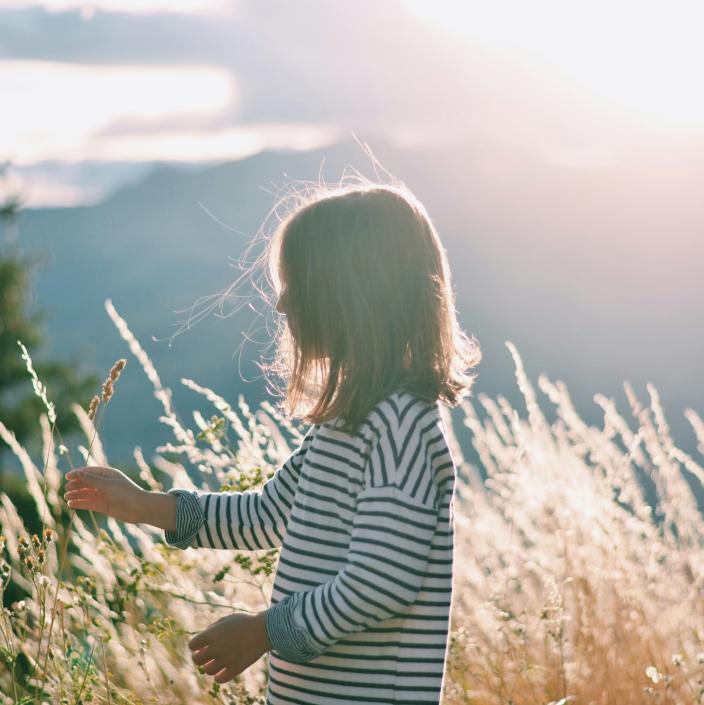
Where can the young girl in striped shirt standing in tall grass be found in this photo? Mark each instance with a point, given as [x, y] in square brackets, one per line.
[362, 510]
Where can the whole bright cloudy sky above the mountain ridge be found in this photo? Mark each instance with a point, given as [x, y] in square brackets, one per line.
[92, 92]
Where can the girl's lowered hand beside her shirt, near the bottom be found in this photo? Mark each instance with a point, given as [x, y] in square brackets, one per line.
[230, 645]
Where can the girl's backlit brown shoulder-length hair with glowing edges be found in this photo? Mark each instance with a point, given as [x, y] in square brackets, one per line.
[364, 283]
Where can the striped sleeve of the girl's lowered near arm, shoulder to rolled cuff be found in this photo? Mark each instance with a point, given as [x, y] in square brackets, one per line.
[391, 538]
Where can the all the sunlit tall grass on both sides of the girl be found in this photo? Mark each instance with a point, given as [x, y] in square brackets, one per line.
[571, 583]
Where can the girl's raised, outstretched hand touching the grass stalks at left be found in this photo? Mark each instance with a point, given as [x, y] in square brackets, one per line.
[106, 490]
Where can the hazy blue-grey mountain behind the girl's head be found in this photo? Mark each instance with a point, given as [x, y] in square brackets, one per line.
[594, 273]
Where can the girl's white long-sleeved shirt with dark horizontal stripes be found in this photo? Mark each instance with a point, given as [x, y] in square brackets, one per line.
[362, 593]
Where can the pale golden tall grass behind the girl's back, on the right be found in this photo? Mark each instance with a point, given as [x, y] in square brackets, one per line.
[570, 586]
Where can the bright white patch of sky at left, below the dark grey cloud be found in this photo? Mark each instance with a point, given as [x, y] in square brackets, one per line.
[57, 108]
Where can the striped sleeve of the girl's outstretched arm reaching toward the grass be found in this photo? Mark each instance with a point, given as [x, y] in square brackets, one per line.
[251, 520]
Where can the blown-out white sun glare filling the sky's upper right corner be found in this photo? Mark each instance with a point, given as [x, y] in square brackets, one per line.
[643, 58]
